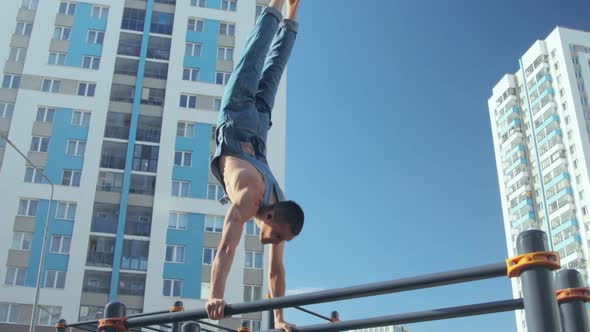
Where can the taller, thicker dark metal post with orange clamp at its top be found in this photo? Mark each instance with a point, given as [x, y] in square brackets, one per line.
[537, 285]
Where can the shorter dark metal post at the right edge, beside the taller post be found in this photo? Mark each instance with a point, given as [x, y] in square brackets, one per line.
[574, 317]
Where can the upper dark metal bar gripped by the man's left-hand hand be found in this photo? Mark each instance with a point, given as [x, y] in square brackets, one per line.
[393, 286]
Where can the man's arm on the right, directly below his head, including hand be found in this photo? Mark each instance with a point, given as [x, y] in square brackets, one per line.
[276, 282]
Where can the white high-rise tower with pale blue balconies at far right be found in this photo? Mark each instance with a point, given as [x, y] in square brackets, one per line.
[540, 121]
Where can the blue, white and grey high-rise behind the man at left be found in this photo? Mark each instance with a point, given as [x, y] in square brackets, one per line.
[117, 101]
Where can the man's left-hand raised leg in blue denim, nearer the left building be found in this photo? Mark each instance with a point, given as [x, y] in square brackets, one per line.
[243, 83]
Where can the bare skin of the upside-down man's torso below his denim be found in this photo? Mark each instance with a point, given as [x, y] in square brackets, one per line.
[241, 178]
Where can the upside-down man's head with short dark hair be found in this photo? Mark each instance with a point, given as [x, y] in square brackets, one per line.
[282, 222]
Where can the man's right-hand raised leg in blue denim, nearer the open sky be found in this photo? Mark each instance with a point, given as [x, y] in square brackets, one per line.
[277, 59]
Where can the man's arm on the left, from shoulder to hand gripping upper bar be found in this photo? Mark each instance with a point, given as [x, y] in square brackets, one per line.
[239, 212]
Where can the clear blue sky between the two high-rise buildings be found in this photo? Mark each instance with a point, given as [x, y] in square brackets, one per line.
[389, 148]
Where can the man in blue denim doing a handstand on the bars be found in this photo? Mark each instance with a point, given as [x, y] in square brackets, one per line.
[240, 158]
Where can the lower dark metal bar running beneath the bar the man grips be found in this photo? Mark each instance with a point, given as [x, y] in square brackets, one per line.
[414, 317]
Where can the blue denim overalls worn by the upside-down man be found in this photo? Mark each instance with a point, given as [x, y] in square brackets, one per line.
[245, 115]
